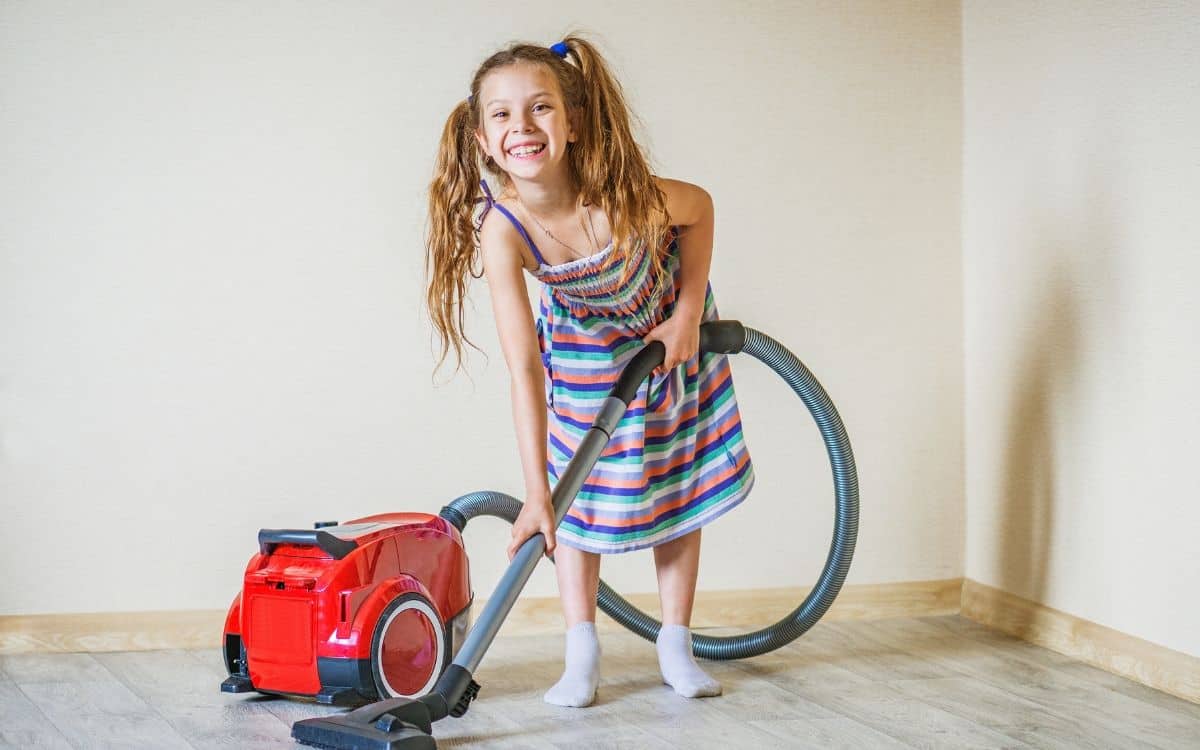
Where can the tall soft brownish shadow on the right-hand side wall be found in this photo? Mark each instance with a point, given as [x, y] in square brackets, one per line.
[1076, 248]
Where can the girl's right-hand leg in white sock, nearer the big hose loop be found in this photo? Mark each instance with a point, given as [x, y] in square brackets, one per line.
[677, 563]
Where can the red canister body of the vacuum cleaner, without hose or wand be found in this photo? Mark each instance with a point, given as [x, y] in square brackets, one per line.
[349, 614]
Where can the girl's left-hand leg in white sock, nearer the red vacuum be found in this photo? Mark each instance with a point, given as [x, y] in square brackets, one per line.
[579, 578]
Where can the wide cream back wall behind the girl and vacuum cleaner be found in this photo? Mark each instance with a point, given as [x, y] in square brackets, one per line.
[211, 279]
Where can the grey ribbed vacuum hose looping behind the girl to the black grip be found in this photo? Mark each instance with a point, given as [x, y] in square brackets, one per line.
[729, 338]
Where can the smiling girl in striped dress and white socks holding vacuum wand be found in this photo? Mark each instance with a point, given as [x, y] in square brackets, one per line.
[623, 260]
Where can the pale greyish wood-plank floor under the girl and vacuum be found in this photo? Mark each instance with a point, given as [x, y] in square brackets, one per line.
[940, 682]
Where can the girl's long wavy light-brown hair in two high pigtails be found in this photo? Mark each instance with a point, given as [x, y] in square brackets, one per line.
[607, 165]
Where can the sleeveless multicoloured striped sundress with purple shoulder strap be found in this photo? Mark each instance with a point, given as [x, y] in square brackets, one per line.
[679, 459]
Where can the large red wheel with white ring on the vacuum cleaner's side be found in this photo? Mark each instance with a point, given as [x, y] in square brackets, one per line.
[410, 650]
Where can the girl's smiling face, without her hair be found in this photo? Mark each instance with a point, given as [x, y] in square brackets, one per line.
[526, 125]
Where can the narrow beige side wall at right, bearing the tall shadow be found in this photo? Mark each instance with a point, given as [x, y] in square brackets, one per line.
[1081, 256]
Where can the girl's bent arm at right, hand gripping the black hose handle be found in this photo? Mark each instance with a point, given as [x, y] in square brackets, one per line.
[691, 209]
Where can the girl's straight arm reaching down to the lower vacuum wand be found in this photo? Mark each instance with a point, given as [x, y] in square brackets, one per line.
[503, 267]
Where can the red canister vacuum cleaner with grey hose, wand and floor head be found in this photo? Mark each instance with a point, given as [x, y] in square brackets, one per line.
[373, 610]
